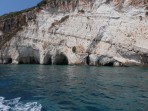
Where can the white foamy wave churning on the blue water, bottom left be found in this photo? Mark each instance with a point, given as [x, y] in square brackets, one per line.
[16, 105]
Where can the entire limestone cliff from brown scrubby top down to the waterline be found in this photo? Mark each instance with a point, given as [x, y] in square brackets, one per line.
[93, 32]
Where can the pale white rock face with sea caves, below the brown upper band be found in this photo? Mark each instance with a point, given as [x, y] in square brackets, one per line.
[100, 36]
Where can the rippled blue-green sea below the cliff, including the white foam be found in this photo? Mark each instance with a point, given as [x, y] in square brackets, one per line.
[73, 88]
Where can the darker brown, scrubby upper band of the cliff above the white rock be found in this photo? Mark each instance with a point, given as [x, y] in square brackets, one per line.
[12, 22]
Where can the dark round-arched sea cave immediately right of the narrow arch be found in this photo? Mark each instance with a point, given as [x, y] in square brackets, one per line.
[61, 59]
